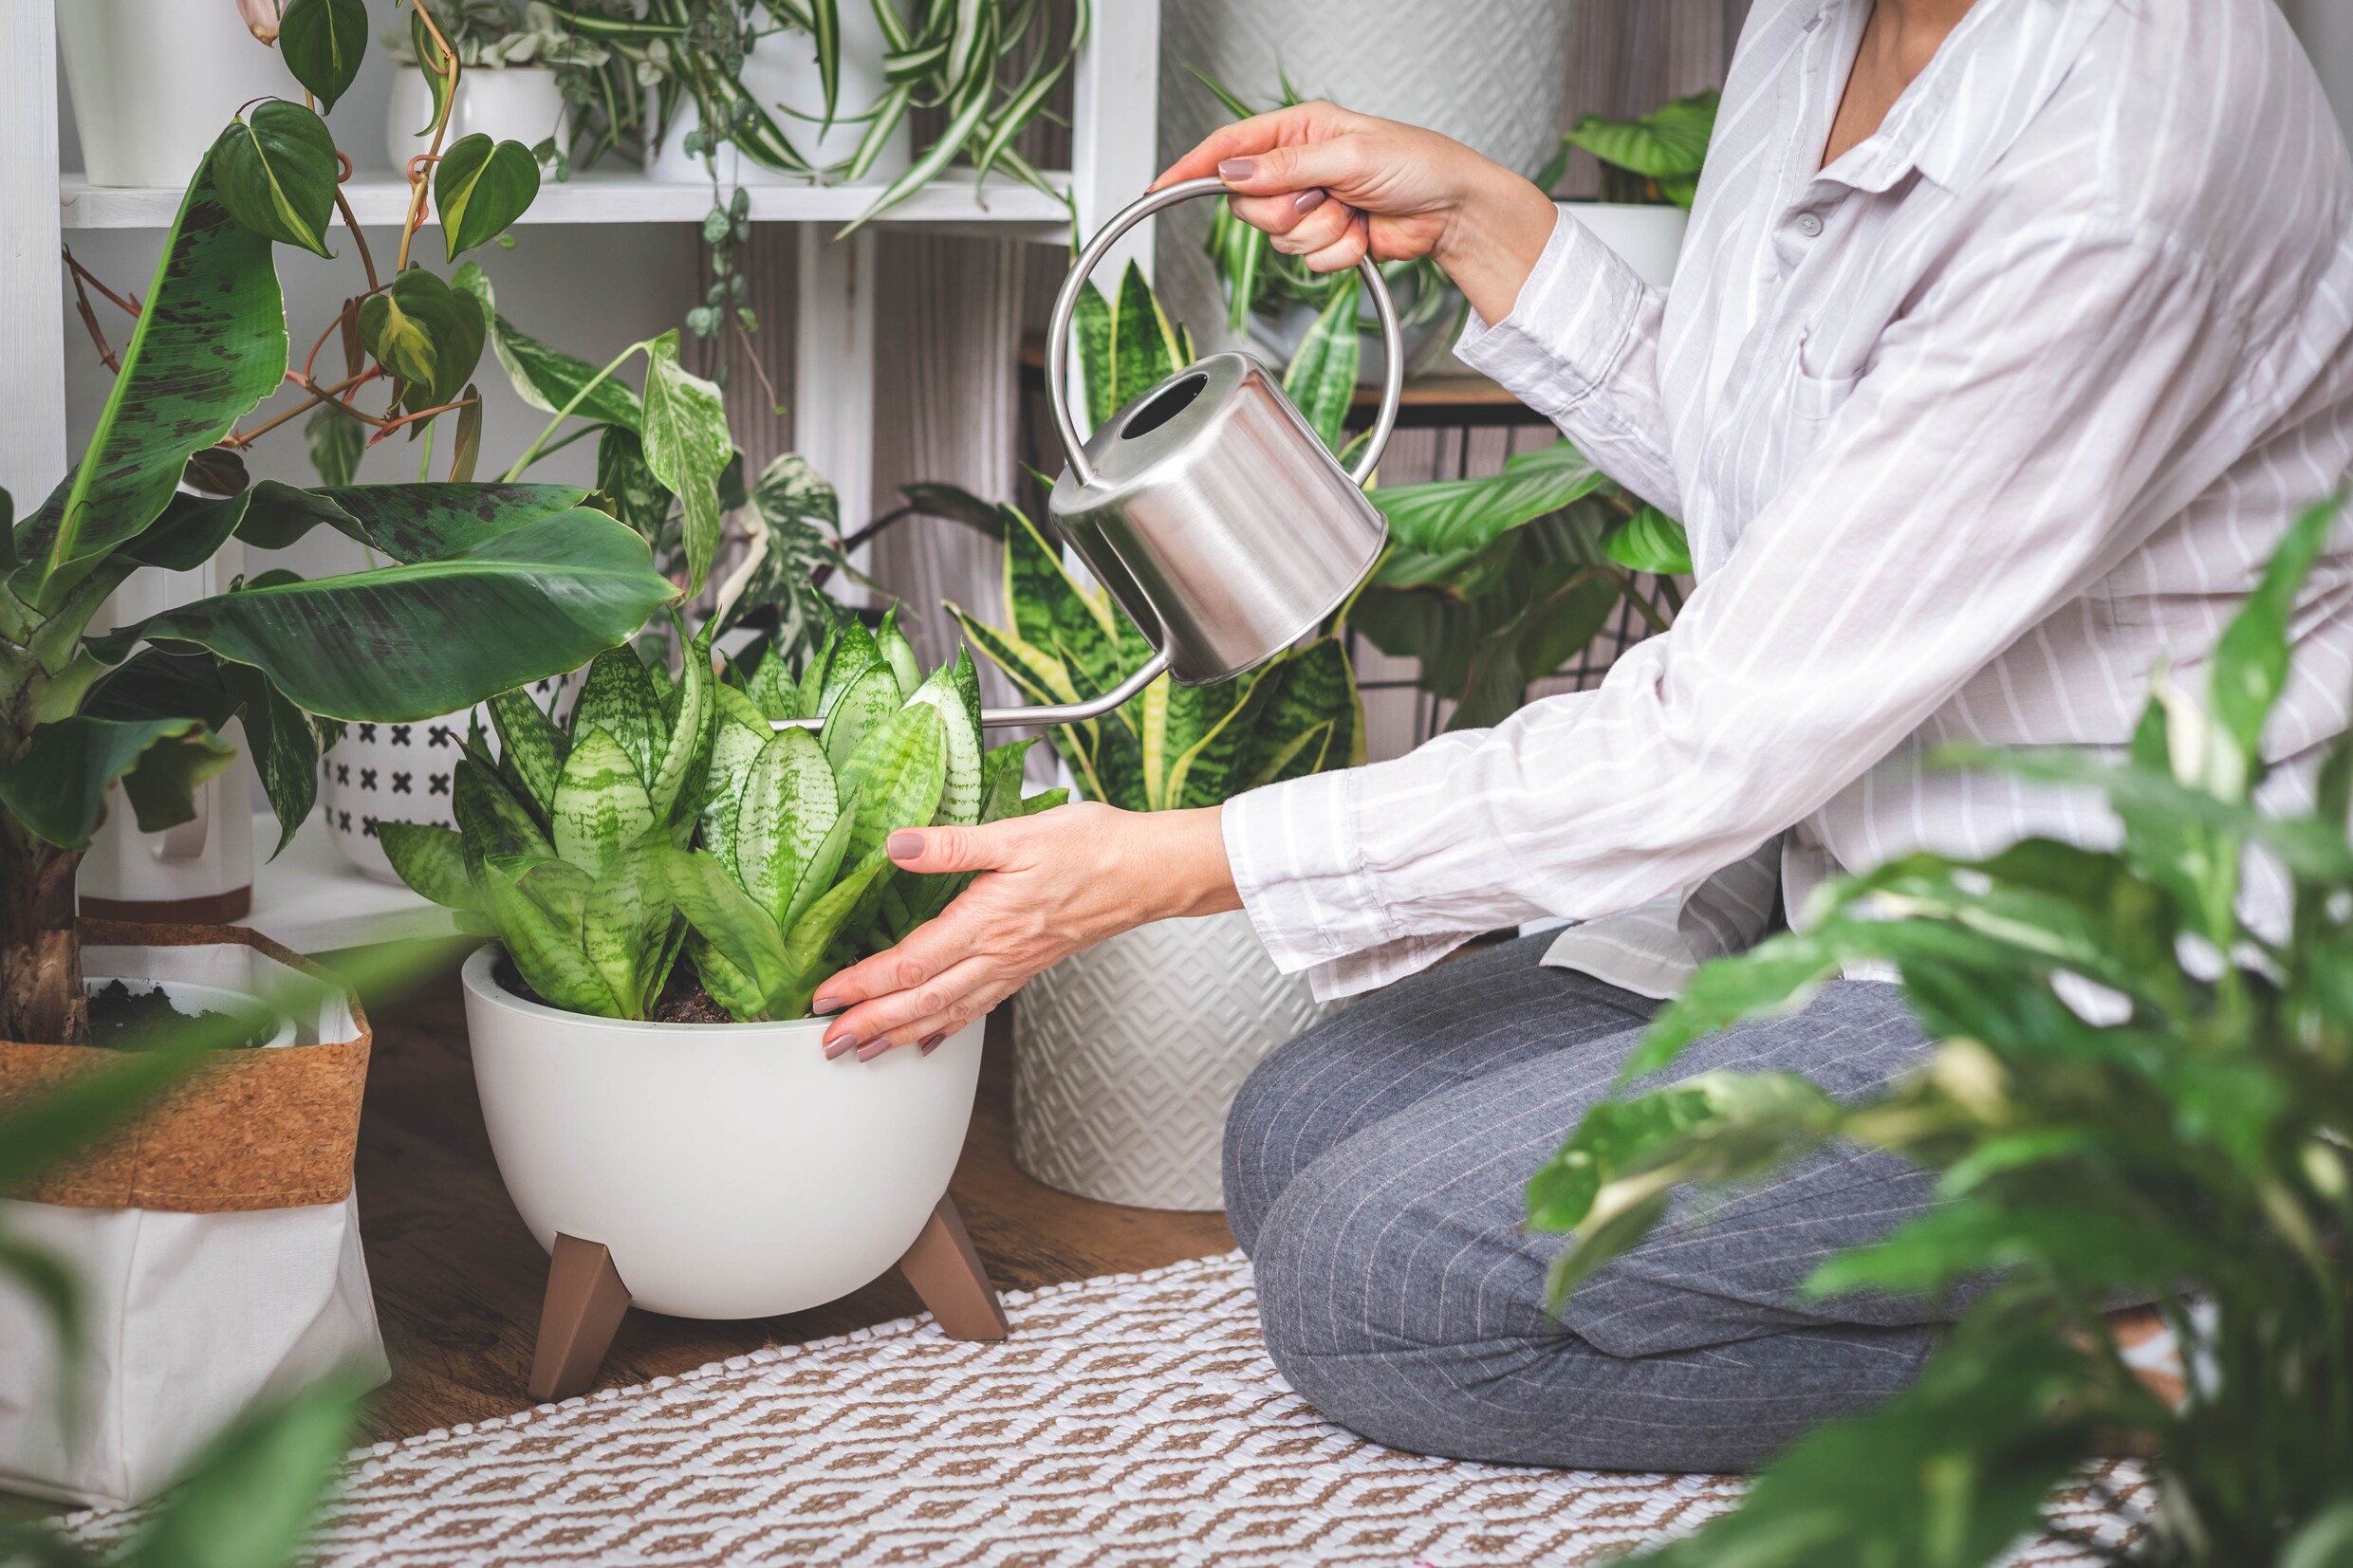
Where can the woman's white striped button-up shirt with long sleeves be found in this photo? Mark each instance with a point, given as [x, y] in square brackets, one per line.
[1971, 431]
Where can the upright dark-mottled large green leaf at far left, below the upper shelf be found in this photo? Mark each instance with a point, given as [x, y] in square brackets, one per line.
[208, 349]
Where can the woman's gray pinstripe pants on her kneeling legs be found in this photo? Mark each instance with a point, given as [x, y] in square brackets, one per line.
[1375, 1177]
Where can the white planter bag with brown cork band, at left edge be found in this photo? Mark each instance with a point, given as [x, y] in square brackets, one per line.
[215, 1238]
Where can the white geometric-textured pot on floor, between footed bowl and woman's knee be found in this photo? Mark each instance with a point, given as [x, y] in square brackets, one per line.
[1128, 1059]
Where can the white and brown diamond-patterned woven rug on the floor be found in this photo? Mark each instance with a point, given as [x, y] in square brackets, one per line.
[1131, 1421]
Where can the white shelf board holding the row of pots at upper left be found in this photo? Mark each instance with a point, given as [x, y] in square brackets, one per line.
[1006, 208]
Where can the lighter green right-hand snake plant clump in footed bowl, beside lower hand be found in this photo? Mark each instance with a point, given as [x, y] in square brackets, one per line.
[792, 880]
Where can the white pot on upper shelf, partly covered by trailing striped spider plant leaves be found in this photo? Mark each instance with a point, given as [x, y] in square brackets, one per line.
[782, 76]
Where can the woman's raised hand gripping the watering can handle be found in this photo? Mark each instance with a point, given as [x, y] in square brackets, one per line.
[1328, 187]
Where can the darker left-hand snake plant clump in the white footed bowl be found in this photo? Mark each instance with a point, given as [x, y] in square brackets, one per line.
[564, 840]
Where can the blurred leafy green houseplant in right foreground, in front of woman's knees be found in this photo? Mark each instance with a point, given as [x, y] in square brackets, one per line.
[2182, 1144]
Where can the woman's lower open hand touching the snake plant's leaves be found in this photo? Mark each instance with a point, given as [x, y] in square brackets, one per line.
[1051, 885]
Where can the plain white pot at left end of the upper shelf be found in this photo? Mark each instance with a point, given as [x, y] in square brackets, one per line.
[154, 83]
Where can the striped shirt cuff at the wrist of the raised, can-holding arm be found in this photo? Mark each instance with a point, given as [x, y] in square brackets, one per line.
[1571, 326]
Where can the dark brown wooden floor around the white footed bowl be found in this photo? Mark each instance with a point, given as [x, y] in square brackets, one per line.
[458, 1278]
